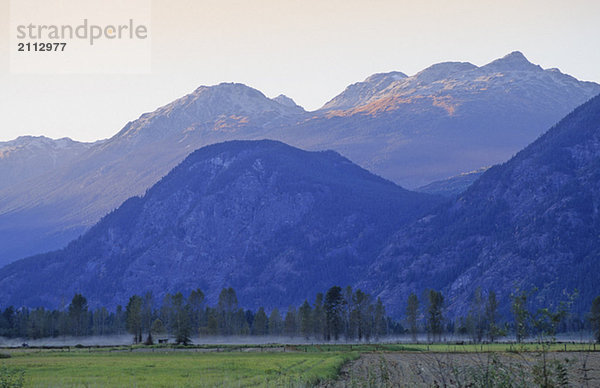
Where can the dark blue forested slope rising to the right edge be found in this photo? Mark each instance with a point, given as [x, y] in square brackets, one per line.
[532, 221]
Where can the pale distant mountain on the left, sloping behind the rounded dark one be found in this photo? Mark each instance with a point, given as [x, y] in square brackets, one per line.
[48, 212]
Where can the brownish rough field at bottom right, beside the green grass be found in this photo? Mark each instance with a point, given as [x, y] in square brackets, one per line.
[579, 369]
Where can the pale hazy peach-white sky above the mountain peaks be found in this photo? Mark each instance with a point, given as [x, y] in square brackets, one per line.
[309, 50]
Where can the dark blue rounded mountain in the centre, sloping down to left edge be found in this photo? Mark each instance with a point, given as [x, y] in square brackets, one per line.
[274, 222]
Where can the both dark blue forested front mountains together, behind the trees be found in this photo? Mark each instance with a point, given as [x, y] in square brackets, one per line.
[278, 223]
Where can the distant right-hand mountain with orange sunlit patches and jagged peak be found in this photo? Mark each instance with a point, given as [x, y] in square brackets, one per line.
[449, 118]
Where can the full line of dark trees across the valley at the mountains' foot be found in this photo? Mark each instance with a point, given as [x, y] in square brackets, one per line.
[336, 314]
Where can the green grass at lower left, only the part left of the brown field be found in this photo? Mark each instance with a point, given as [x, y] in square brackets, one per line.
[175, 369]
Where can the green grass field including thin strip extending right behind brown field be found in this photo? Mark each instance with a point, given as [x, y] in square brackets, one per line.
[225, 366]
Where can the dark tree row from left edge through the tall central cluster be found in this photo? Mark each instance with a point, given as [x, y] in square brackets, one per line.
[339, 313]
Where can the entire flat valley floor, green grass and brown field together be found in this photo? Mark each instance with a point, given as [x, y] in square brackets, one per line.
[374, 365]
